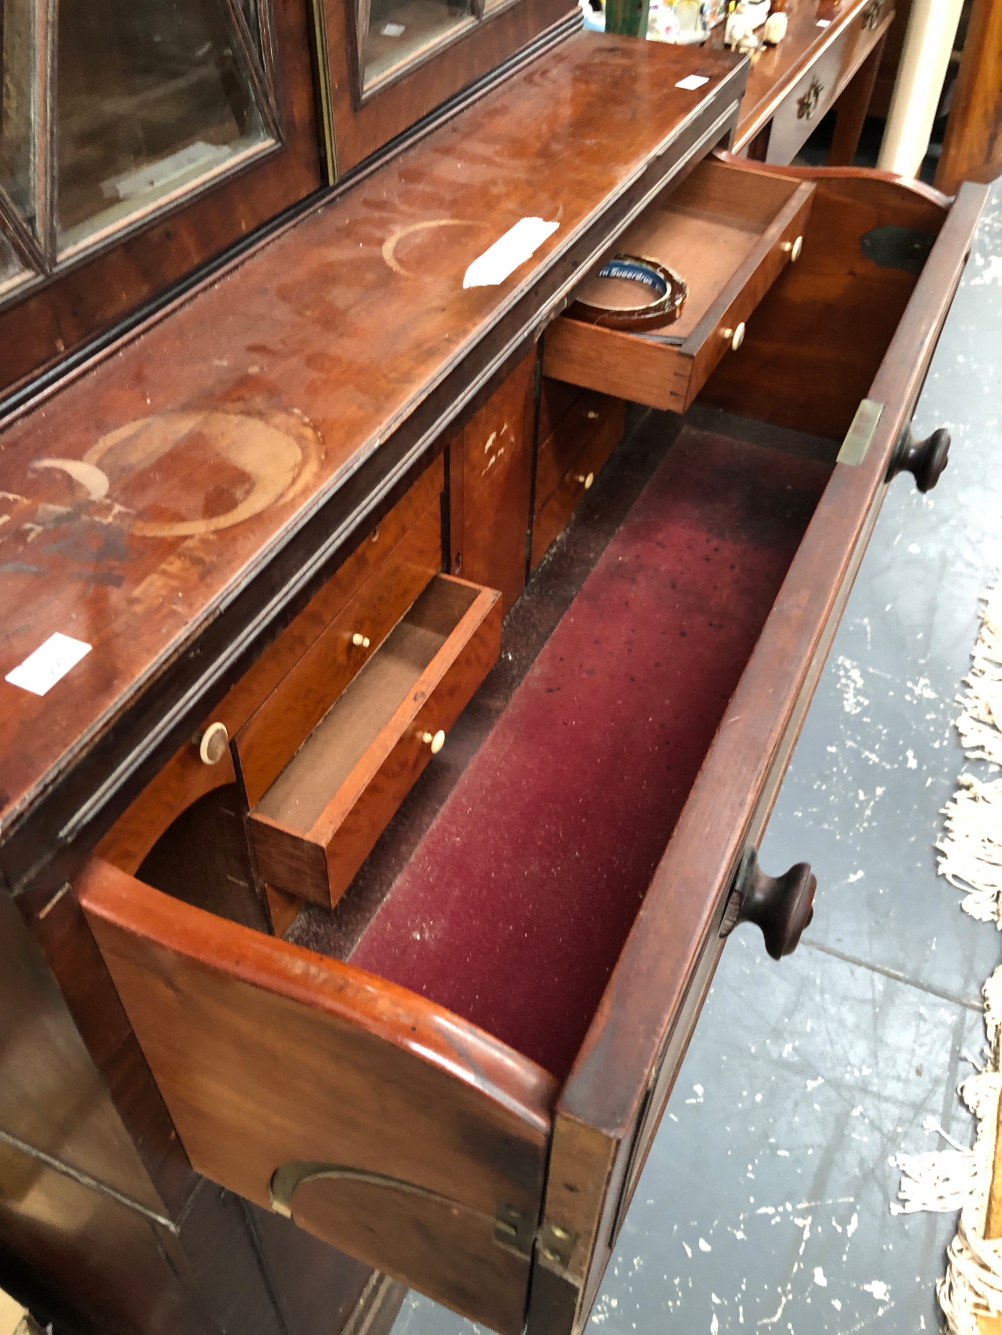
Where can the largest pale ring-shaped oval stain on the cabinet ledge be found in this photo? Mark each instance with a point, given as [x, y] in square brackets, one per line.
[183, 475]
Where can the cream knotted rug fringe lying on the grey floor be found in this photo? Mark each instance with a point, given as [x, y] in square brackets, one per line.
[971, 859]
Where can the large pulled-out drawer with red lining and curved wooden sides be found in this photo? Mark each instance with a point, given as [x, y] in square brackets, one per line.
[469, 1101]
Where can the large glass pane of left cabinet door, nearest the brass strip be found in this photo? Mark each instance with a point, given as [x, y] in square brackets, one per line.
[150, 98]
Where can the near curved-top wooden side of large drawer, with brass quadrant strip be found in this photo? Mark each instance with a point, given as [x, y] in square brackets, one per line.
[270, 1055]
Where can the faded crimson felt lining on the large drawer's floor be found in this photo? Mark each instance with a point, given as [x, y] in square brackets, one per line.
[517, 903]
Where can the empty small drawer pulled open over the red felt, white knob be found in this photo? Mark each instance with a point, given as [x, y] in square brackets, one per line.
[316, 826]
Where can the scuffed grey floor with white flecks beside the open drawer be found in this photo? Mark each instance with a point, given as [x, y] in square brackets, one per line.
[764, 1205]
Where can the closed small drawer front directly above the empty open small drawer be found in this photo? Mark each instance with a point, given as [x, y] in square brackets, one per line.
[280, 728]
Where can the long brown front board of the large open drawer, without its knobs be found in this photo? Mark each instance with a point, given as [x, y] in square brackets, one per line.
[616, 1094]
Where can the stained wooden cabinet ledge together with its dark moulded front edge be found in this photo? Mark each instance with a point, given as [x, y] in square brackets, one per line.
[326, 429]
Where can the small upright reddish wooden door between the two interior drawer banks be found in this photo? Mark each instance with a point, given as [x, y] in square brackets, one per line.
[490, 487]
